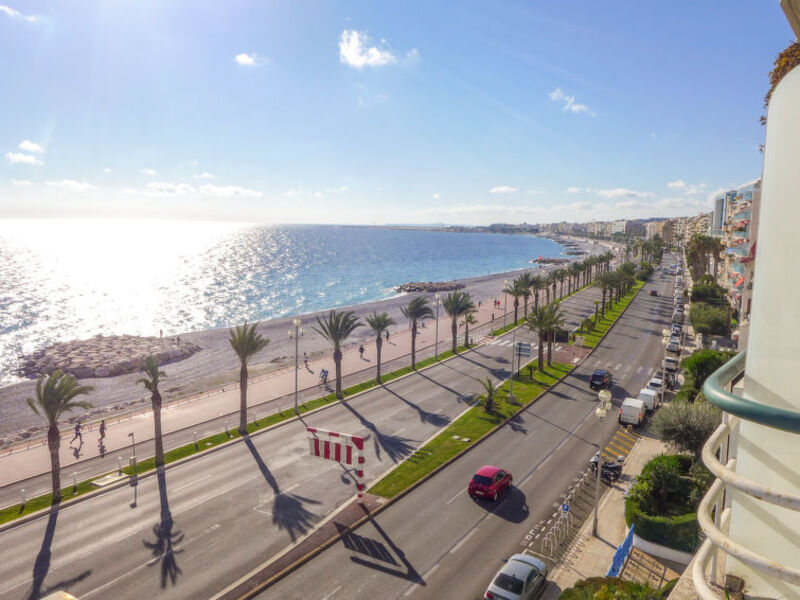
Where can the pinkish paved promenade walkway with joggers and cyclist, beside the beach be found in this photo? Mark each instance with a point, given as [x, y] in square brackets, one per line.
[209, 414]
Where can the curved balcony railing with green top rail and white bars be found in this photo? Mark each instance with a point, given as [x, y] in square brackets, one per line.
[714, 510]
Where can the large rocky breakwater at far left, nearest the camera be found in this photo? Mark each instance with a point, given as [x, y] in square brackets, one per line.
[102, 356]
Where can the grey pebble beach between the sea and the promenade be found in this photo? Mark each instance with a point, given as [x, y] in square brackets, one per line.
[216, 364]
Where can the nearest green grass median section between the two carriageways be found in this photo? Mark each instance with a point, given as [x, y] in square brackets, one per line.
[473, 425]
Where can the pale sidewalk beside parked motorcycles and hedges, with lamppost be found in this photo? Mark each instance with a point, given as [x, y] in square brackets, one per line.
[590, 556]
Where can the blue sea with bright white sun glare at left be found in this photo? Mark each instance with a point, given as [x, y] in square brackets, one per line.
[72, 279]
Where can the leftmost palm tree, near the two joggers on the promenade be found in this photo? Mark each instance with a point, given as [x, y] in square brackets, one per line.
[55, 395]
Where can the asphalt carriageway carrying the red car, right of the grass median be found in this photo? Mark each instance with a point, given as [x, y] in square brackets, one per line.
[437, 542]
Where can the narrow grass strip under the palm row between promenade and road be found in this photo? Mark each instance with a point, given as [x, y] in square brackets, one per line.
[44, 501]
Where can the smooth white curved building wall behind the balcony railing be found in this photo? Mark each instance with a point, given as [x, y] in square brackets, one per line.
[772, 373]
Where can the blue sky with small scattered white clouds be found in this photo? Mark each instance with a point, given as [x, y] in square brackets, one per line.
[380, 112]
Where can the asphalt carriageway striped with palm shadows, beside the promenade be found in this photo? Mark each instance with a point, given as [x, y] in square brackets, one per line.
[206, 523]
